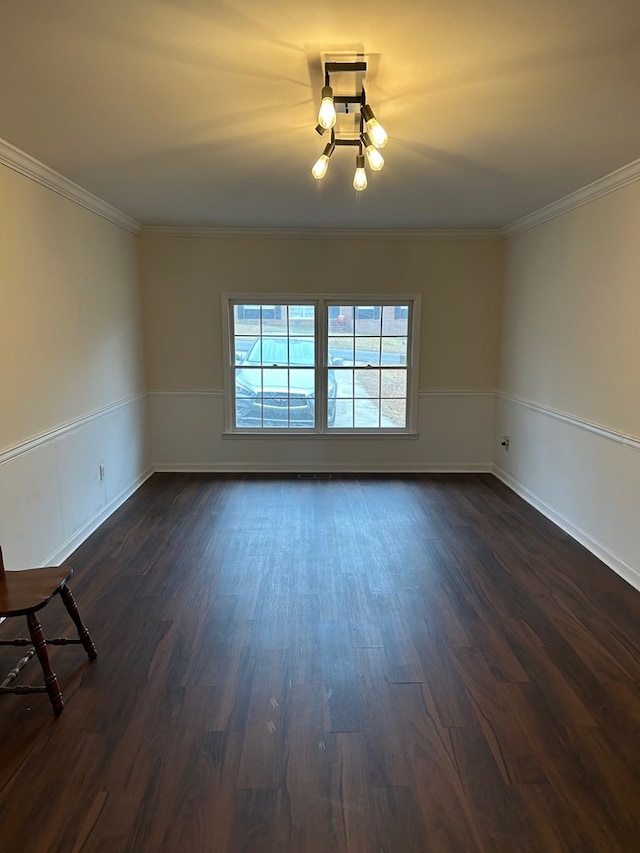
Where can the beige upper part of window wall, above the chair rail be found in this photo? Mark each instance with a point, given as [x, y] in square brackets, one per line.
[182, 280]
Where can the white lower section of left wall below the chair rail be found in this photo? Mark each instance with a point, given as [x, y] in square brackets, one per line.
[51, 495]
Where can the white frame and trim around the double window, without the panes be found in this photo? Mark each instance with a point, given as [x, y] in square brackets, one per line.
[322, 303]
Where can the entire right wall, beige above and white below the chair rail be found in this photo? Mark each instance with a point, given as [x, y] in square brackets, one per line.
[570, 375]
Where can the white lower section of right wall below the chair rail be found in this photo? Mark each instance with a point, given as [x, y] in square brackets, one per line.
[584, 477]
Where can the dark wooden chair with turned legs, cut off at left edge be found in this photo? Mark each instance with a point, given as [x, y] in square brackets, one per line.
[23, 593]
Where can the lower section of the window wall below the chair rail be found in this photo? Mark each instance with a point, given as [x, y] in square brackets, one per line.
[456, 433]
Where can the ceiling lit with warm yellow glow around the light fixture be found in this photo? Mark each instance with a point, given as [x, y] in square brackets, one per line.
[202, 112]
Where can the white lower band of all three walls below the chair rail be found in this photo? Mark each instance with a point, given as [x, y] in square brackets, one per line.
[582, 476]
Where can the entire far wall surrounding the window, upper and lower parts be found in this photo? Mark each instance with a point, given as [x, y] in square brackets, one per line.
[182, 279]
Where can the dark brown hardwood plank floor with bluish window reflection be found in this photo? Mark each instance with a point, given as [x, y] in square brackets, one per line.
[379, 664]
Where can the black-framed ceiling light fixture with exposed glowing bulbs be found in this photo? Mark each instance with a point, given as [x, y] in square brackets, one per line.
[370, 137]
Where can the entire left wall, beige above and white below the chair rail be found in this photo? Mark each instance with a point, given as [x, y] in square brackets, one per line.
[72, 386]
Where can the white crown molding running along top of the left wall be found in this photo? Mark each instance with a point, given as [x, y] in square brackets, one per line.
[28, 166]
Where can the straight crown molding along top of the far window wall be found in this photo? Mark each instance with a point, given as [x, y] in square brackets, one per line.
[321, 233]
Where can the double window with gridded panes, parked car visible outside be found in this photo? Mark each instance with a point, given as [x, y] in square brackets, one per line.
[322, 365]
